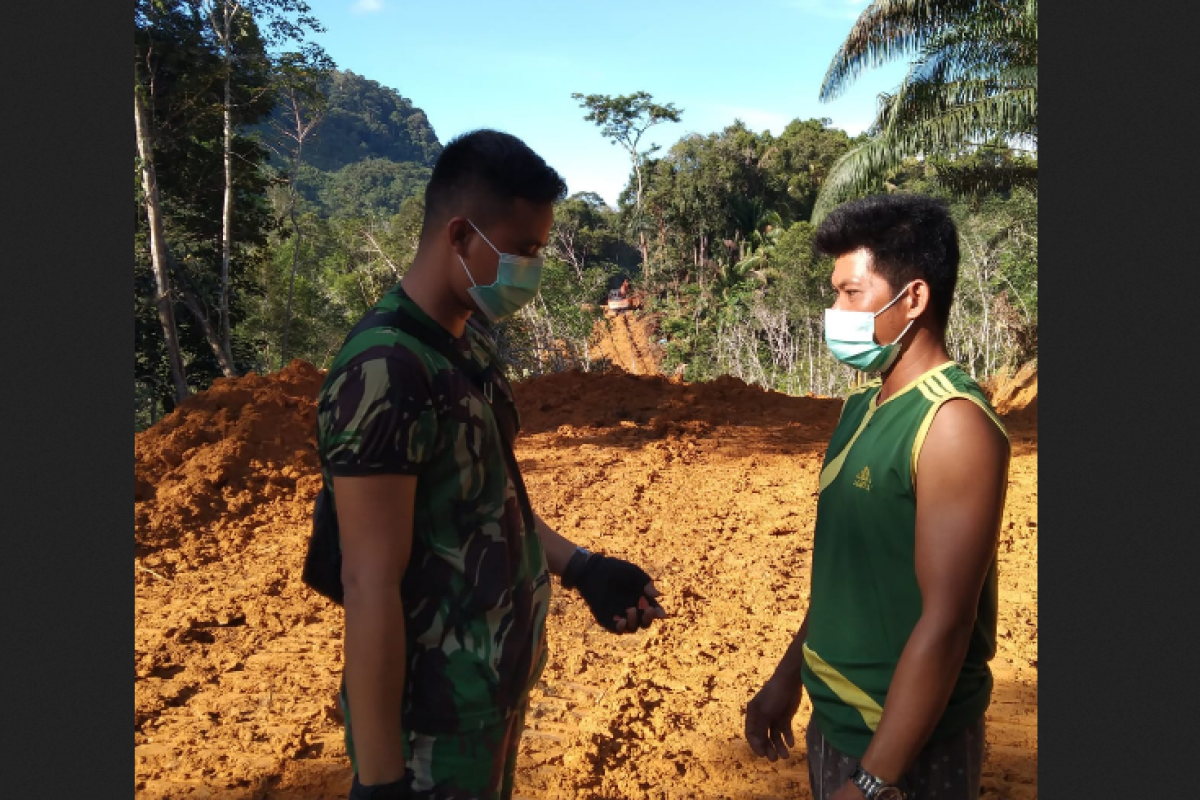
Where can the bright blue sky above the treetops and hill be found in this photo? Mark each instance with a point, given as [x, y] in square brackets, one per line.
[513, 67]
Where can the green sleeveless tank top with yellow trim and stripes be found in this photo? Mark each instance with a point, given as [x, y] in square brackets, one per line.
[866, 600]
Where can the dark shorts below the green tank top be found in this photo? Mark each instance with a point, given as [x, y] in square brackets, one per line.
[950, 769]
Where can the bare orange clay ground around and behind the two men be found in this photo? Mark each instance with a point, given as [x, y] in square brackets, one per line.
[711, 488]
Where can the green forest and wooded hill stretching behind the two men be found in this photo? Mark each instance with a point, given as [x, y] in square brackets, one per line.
[723, 222]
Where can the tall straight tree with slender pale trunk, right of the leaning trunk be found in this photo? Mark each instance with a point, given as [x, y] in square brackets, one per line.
[235, 26]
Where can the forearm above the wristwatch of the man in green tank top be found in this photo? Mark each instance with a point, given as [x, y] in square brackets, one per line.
[917, 697]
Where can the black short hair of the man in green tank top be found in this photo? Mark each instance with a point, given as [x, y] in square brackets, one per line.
[910, 237]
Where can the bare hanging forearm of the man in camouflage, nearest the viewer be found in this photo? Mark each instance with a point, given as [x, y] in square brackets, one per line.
[375, 679]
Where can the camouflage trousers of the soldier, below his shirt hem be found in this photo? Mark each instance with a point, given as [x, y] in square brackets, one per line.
[477, 765]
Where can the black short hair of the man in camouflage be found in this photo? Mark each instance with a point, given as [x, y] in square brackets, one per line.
[479, 175]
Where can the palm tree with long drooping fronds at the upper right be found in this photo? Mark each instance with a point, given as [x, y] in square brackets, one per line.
[974, 81]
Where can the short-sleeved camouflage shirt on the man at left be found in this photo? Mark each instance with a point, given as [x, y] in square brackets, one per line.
[477, 587]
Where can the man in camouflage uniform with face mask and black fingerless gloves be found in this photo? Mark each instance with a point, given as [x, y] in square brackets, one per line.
[445, 567]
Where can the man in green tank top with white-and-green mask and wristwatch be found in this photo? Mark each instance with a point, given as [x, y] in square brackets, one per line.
[902, 618]
